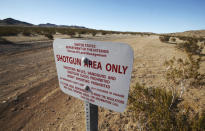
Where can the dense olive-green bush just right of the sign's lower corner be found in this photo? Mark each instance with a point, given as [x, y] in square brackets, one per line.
[152, 105]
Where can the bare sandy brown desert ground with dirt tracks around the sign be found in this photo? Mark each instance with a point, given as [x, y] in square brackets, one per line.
[30, 97]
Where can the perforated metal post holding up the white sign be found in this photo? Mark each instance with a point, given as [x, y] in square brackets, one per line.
[91, 115]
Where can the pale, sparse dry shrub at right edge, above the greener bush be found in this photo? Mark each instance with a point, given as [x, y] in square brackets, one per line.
[184, 73]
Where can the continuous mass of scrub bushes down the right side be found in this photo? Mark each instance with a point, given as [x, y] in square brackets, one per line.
[160, 109]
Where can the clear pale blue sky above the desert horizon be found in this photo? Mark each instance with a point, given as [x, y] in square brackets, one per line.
[157, 16]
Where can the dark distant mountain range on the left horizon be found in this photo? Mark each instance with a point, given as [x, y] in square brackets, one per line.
[13, 22]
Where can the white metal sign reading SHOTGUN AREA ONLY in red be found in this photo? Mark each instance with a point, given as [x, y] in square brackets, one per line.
[93, 71]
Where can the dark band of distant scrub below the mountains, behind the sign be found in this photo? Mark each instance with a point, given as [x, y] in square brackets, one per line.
[50, 31]
